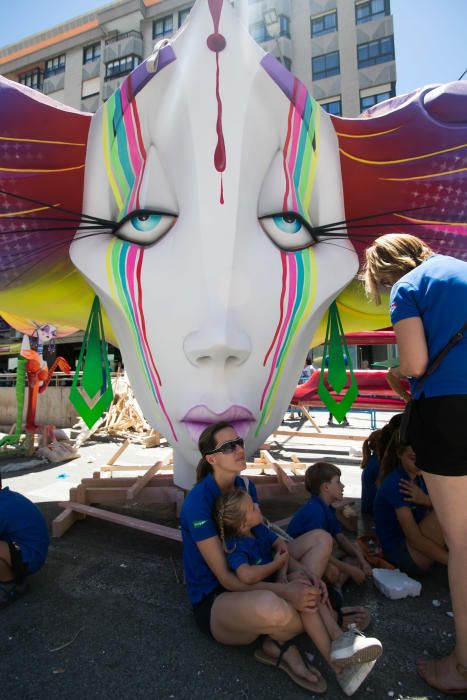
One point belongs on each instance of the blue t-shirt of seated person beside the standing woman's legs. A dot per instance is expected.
(388, 499)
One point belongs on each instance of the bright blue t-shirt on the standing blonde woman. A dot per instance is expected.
(436, 292)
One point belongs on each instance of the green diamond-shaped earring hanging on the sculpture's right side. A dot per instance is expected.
(335, 348)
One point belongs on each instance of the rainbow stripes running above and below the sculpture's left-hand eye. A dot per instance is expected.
(125, 160)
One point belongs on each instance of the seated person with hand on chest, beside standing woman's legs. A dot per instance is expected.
(405, 523)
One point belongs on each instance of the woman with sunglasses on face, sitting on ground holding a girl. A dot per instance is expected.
(224, 607)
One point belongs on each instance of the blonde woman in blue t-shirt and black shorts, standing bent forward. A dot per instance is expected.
(428, 307)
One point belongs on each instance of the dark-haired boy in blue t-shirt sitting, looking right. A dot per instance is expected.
(322, 481)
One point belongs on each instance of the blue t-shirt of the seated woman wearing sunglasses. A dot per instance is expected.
(198, 524)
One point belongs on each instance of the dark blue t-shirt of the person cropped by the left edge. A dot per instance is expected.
(22, 522)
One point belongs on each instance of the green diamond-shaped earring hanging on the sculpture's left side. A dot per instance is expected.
(93, 394)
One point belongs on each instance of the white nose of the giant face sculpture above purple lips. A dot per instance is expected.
(217, 343)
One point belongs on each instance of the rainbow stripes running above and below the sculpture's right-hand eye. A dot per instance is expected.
(299, 268)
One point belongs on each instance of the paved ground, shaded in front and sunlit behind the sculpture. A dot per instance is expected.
(108, 616)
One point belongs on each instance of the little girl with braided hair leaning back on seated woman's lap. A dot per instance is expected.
(257, 554)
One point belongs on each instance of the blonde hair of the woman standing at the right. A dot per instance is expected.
(393, 253)
